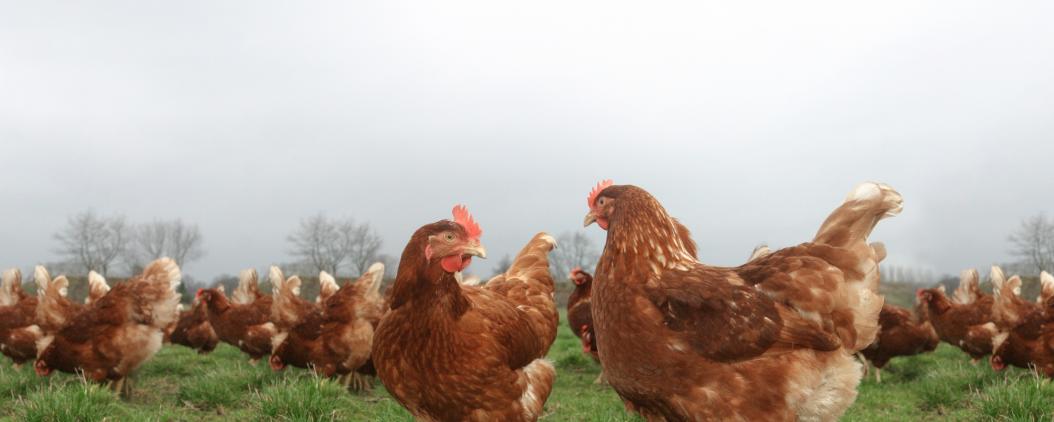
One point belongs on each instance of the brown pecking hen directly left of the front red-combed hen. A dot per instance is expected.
(343, 342)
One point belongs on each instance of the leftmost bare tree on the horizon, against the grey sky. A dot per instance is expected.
(93, 243)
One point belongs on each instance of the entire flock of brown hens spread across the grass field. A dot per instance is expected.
(774, 339)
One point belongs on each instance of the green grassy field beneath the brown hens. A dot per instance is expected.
(181, 386)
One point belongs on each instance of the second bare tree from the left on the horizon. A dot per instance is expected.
(173, 239)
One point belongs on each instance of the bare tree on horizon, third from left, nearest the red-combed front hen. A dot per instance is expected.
(329, 245)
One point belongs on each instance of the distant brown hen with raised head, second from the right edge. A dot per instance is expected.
(967, 327)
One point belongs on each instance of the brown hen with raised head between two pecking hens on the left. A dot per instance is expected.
(245, 327)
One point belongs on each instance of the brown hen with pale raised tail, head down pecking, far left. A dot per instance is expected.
(118, 333)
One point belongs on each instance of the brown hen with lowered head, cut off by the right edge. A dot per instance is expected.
(1026, 337)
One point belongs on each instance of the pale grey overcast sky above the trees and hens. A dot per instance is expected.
(749, 121)
